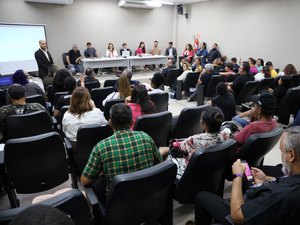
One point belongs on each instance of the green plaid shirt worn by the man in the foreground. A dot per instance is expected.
(124, 152)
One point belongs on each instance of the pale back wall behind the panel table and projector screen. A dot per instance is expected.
(99, 22)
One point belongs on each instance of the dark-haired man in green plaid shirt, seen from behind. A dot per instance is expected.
(107, 157)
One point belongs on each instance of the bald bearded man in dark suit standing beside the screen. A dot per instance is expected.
(43, 59)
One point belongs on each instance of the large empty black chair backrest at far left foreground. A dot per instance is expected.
(36, 163)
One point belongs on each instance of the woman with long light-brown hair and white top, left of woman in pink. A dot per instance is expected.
(124, 90)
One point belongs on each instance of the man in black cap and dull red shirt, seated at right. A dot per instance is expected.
(264, 109)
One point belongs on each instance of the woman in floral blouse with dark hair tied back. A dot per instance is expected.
(211, 121)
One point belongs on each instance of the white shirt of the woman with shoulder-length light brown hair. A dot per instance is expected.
(71, 122)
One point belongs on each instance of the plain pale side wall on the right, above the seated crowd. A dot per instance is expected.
(269, 29)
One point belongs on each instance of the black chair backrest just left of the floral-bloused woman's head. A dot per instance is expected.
(188, 122)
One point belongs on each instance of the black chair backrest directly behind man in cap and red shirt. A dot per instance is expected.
(258, 145)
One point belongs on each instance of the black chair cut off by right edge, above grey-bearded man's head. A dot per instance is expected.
(290, 104)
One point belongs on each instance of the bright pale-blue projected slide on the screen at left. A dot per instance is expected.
(18, 43)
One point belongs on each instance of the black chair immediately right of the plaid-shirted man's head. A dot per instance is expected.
(156, 125)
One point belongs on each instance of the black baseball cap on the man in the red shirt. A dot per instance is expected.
(266, 101)
